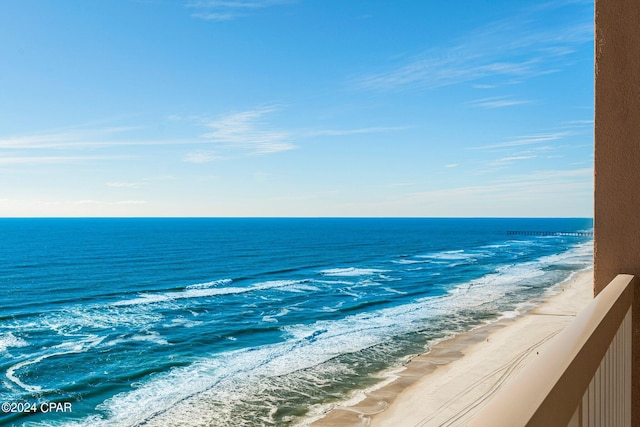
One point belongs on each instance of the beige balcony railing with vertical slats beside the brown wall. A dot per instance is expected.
(581, 378)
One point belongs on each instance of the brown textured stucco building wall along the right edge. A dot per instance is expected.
(617, 155)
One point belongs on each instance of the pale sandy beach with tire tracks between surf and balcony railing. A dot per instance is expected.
(450, 383)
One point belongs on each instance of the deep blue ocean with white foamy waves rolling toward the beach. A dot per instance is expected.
(247, 321)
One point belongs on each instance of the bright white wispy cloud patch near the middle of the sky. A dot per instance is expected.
(248, 131)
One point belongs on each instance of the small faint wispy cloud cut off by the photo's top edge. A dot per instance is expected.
(226, 10)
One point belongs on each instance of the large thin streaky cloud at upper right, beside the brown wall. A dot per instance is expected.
(515, 48)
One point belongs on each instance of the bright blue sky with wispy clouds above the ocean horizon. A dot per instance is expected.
(296, 108)
